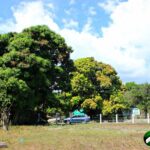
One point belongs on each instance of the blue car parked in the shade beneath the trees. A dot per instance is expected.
(77, 119)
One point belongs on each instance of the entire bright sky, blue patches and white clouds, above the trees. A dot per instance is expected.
(108, 30)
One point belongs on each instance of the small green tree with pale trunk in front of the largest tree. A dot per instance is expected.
(11, 90)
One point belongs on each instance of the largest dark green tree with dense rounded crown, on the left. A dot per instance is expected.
(38, 59)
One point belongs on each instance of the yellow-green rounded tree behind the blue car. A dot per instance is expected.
(92, 83)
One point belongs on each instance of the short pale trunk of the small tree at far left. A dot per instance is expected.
(5, 120)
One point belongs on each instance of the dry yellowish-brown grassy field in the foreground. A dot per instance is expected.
(92, 136)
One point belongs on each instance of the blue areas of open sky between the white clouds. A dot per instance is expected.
(78, 10)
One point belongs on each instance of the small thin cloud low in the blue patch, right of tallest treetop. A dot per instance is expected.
(70, 23)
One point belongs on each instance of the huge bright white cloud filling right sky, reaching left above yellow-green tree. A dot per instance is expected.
(125, 42)
